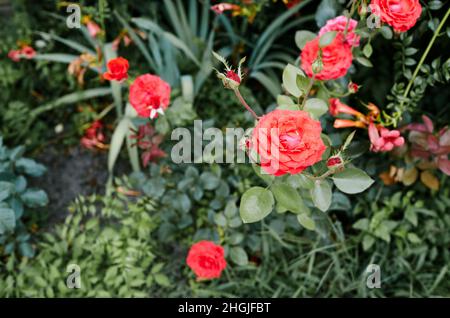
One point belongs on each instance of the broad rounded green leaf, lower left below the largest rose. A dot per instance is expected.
(256, 204)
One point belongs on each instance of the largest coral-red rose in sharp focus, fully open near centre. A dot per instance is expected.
(288, 141)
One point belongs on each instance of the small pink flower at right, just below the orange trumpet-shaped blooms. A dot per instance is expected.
(383, 139)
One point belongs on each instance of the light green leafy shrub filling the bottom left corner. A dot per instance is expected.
(109, 238)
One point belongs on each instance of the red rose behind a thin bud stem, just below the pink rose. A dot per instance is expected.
(336, 58)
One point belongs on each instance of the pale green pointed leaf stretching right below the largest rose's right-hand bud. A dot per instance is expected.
(352, 180)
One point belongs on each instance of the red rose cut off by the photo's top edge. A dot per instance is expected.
(402, 15)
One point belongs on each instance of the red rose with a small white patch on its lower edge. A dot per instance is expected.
(149, 95)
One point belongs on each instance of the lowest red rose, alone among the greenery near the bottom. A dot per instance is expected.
(206, 259)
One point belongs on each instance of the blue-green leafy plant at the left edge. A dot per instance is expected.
(19, 204)
